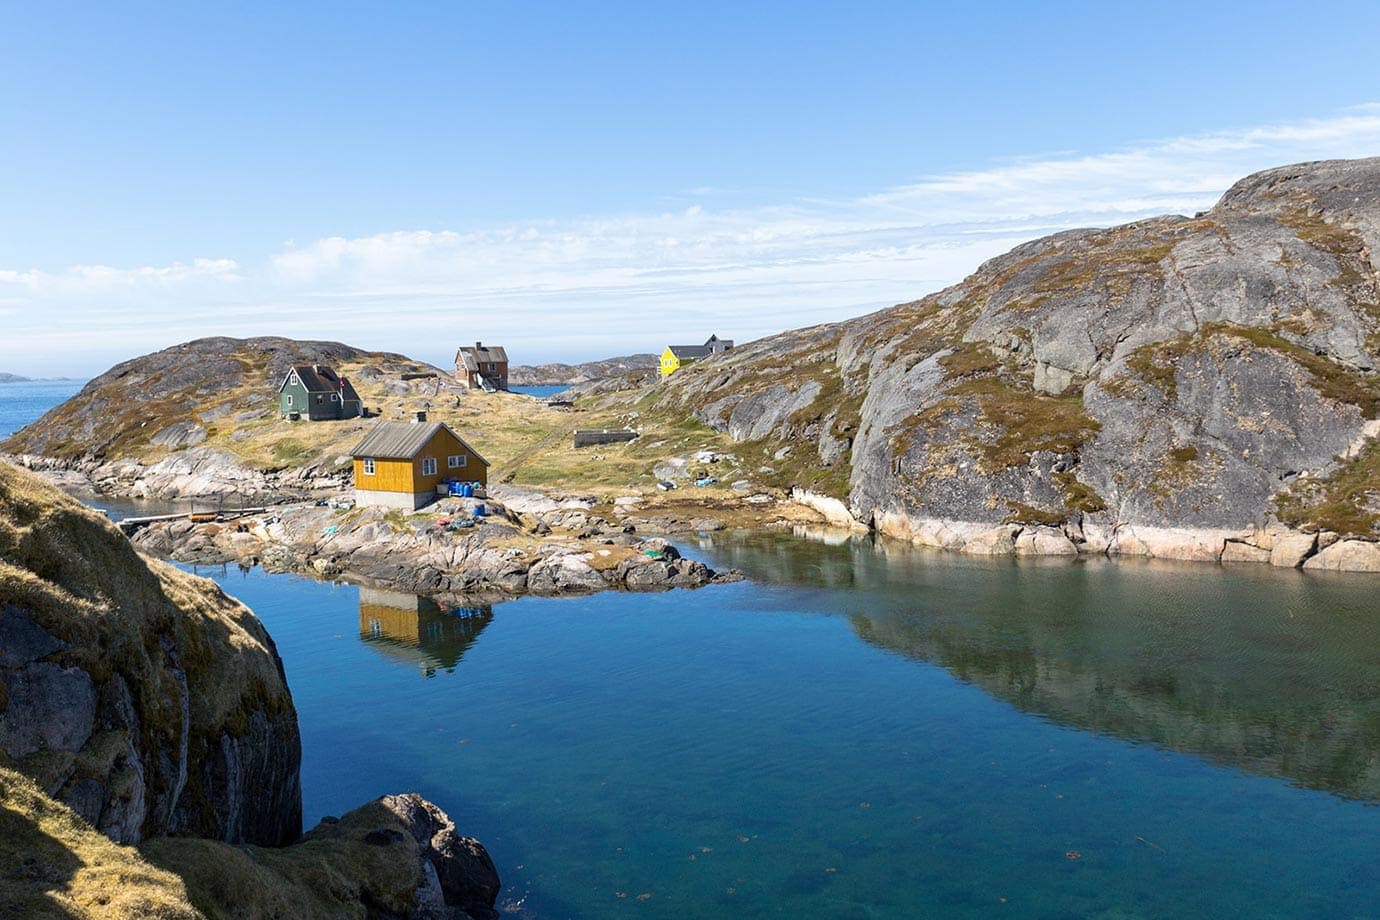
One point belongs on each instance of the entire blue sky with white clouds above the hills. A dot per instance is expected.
(586, 180)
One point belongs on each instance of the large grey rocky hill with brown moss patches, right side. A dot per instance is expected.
(1178, 387)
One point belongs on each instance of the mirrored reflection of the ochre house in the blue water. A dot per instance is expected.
(417, 631)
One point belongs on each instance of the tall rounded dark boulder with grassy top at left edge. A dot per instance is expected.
(144, 699)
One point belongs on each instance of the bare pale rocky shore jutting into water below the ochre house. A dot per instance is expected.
(457, 547)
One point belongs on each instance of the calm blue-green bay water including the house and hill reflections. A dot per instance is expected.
(856, 733)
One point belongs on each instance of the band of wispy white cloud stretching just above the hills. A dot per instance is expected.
(630, 282)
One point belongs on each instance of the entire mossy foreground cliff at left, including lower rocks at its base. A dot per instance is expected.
(141, 706)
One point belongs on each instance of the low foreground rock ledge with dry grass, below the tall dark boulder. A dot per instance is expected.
(397, 857)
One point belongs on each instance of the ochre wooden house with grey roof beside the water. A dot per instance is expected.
(401, 464)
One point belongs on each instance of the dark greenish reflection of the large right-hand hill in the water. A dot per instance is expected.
(1276, 672)
